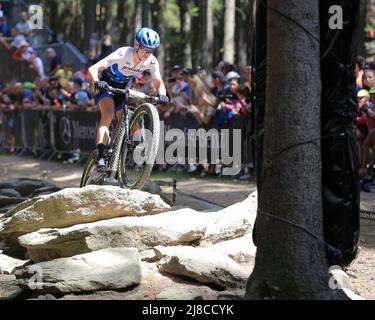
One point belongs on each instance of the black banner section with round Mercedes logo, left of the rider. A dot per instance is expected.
(75, 130)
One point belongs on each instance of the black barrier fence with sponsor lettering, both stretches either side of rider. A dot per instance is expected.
(49, 132)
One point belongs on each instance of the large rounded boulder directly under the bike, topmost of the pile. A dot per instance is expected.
(76, 206)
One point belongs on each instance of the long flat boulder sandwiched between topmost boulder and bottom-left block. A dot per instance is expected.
(169, 229)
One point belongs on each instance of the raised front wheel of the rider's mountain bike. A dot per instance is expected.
(139, 152)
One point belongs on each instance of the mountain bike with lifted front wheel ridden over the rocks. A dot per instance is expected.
(132, 147)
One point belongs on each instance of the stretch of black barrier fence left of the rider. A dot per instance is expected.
(51, 131)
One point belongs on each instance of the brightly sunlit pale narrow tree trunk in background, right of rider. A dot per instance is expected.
(229, 30)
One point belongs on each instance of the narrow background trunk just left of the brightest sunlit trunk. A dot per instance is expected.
(207, 33)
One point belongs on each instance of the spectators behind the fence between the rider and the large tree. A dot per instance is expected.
(219, 100)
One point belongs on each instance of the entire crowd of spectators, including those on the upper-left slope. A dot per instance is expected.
(198, 99)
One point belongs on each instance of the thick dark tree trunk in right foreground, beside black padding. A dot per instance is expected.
(291, 264)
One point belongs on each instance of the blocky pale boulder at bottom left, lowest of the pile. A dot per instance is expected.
(109, 269)
